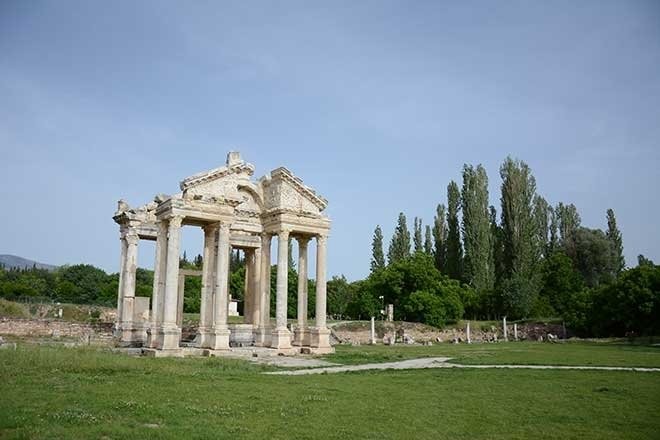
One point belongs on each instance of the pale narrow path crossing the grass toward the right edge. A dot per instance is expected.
(442, 362)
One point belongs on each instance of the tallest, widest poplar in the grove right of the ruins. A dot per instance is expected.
(519, 233)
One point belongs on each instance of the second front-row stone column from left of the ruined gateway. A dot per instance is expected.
(221, 305)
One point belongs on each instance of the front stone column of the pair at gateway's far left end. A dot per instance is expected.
(129, 334)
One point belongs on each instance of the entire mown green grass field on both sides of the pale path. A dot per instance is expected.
(54, 393)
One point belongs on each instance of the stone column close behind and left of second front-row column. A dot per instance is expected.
(206, 304)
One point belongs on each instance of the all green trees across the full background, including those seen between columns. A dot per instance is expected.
(530, 260)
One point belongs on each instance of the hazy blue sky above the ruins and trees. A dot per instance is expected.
(375, 104)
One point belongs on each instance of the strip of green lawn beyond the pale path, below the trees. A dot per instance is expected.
(529, 353)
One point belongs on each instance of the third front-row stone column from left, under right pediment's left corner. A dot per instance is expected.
(281, 336)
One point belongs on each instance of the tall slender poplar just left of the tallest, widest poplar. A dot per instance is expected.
(478, 263)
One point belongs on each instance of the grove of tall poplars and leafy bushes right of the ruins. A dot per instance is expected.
(535, 260)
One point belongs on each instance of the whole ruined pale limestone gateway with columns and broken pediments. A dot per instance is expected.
(234, 212)
